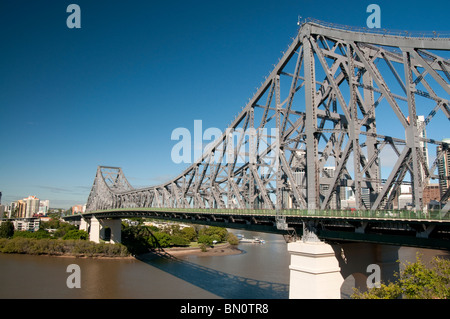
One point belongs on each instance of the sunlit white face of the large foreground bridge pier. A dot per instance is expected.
(314, 271)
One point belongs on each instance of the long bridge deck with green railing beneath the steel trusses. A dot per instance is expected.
(408, 228)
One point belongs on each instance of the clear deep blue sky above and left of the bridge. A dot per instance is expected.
(112, 92)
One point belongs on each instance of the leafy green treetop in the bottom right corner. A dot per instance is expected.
(415, 281)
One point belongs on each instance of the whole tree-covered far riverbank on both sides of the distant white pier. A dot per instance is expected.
(68, 240)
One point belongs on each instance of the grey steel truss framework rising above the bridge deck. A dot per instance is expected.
(319, 106)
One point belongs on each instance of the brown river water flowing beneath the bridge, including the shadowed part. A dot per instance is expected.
(260, 272)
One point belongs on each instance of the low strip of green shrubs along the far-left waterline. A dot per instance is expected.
(59, 247)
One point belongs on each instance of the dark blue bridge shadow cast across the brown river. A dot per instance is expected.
(224, 285)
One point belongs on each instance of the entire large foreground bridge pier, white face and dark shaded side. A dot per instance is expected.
(319, 269)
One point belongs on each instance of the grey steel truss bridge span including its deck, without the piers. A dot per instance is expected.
(314, 130)
